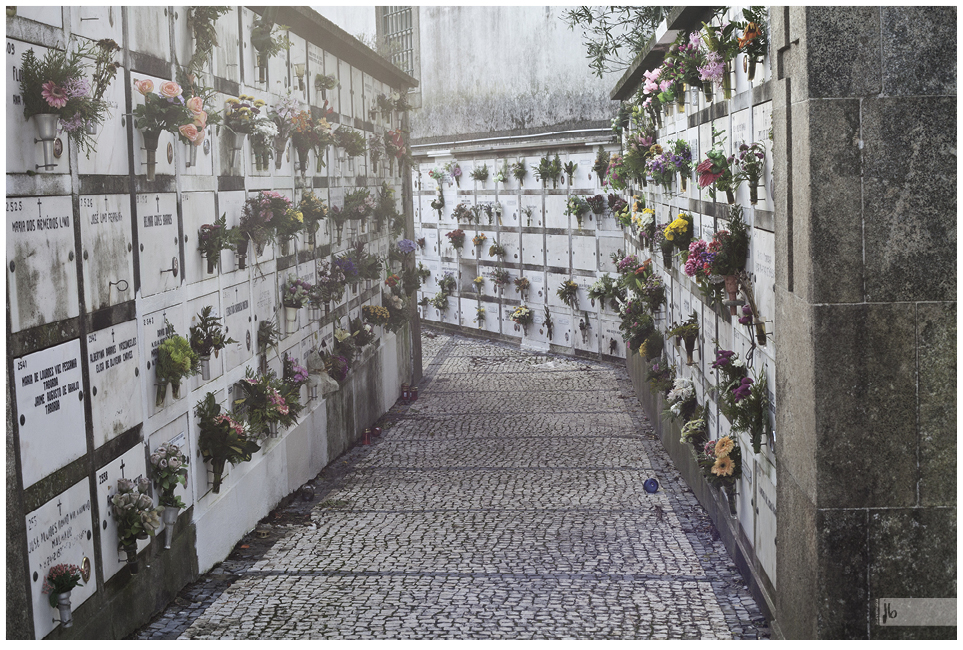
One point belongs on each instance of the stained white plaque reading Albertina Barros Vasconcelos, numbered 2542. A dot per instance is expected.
(113, 365)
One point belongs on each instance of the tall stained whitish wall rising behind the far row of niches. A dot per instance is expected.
(503, 69)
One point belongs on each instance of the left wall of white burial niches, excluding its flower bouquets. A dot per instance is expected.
(91, 249)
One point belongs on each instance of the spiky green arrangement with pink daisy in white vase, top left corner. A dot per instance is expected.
(57, 86)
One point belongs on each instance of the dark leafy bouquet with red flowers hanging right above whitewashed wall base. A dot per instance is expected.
(222, 439)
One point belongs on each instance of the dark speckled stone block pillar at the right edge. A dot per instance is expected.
(864, 119)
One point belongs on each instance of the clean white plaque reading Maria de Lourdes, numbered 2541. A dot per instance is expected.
(50, 410)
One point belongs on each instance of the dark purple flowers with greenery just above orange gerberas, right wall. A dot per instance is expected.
(742, 399)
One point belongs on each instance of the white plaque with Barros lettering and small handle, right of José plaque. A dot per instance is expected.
(158, 235)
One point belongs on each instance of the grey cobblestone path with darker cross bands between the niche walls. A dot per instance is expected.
(506, 503)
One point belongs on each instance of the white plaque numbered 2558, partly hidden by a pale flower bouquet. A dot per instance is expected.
(132, 465)
